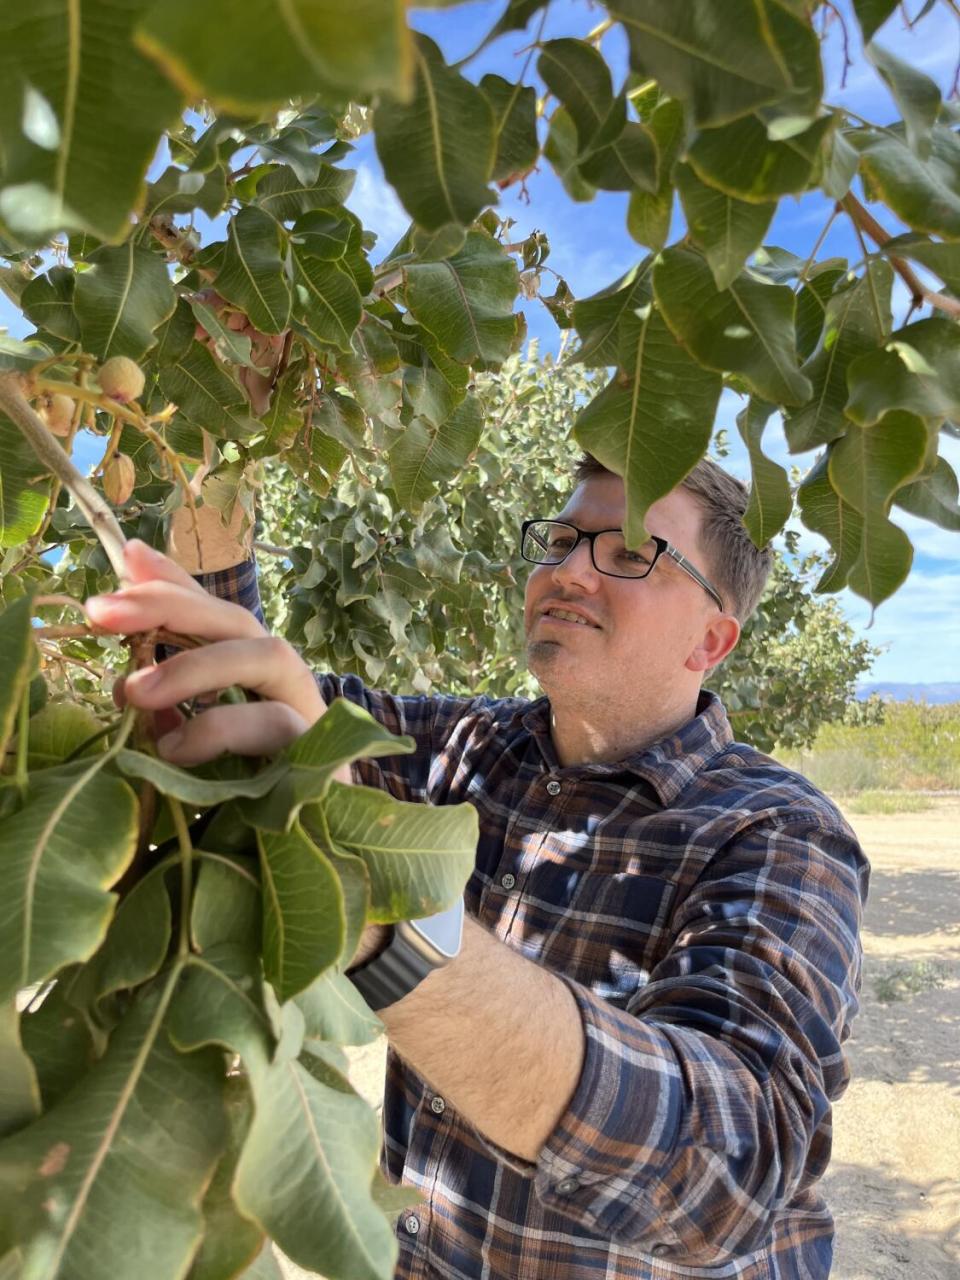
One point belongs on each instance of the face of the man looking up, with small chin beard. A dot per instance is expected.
(637, 634)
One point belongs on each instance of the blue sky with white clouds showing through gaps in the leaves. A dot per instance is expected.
(920, 628)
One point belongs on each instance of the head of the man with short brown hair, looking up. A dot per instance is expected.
(644, 644)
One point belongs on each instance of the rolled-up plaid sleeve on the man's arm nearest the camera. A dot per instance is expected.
(705, 1105)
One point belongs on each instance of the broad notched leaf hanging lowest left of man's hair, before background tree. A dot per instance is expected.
(427, 456)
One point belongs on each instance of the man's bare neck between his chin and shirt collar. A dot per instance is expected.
(597, 737)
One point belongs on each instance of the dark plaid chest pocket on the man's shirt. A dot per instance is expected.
(619, 924)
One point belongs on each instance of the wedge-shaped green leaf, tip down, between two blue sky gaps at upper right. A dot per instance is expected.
(728, 231)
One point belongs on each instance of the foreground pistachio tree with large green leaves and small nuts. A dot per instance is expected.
(172, 943)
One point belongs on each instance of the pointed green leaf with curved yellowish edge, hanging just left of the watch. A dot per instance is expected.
(304, 916)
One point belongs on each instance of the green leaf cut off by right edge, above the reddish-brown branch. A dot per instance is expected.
(925, 194)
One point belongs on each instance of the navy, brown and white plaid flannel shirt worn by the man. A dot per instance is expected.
(703, 904)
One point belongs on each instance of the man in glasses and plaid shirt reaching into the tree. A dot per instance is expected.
(628, 1071)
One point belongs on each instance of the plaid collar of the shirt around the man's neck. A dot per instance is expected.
(669, 766)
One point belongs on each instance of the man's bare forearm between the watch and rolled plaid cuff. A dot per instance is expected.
(499, 1036)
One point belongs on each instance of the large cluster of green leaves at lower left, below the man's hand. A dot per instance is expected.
(172, 995)
